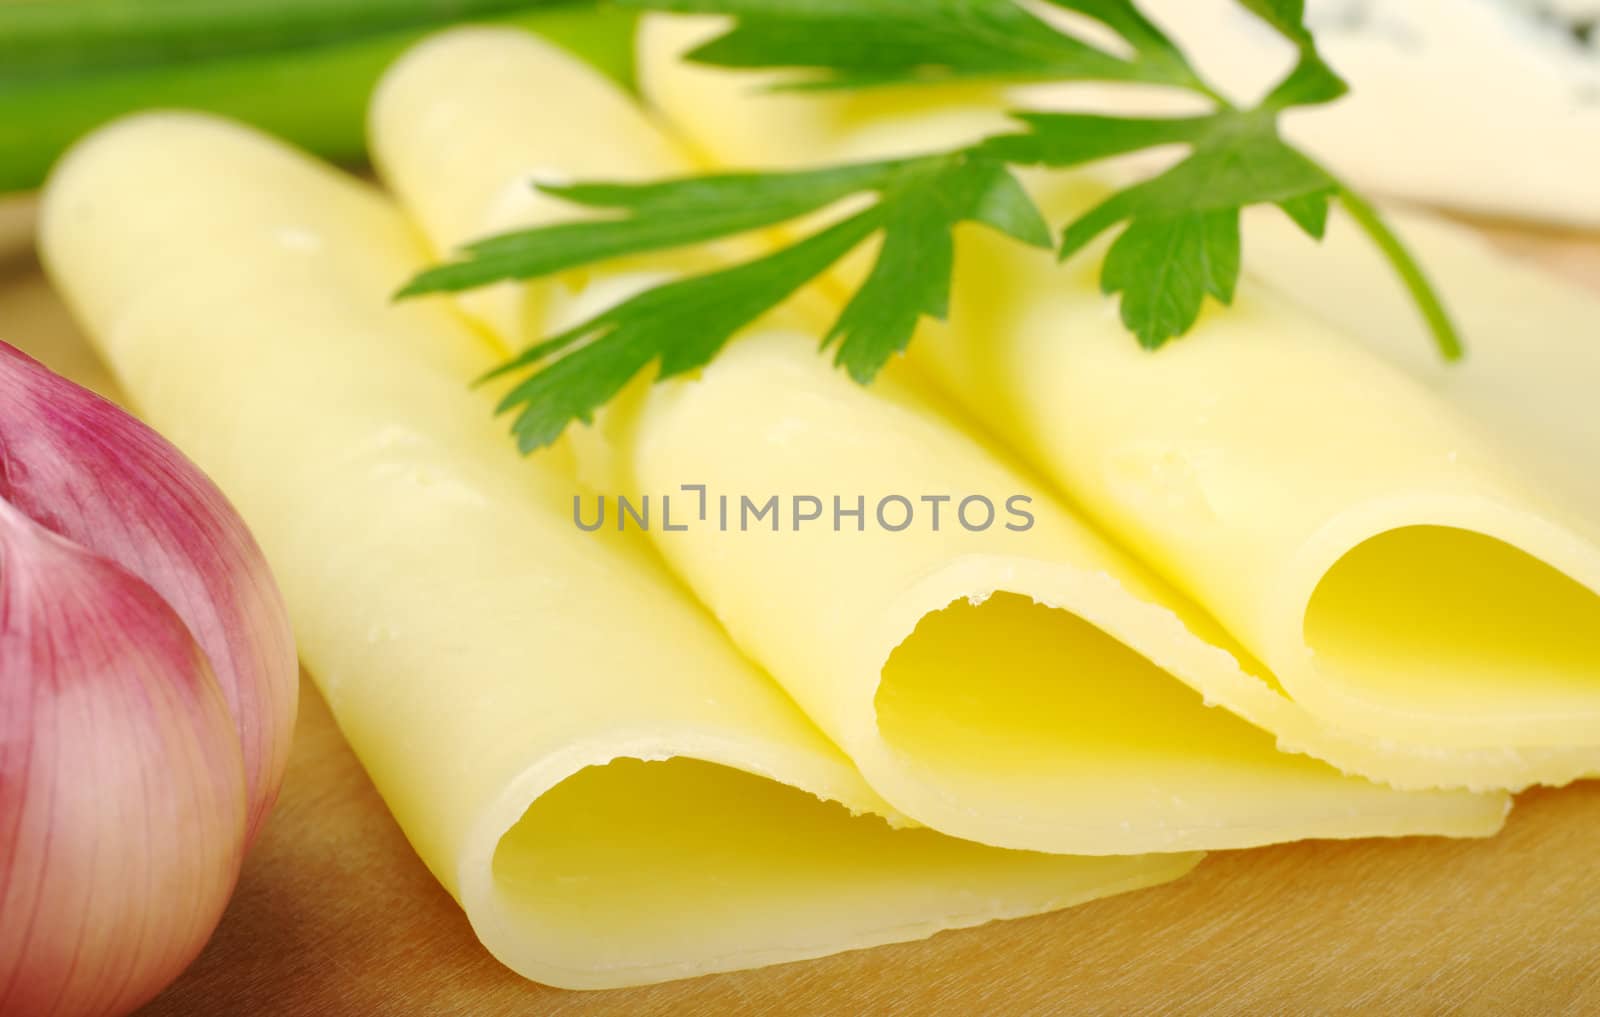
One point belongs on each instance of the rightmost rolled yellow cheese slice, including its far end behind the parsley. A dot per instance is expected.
(1422, 589)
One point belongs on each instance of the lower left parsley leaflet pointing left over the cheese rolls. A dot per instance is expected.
(686, 324)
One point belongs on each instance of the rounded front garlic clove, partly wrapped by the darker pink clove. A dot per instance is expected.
(122, 783)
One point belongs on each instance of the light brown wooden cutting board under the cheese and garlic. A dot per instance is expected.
(337, 917)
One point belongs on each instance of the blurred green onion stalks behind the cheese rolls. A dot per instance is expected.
(302, 70)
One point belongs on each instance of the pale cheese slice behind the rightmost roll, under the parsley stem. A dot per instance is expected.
(1534, 364)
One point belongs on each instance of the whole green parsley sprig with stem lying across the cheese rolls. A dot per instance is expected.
(1180, 237)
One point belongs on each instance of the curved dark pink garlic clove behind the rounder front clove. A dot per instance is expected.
(86, 469)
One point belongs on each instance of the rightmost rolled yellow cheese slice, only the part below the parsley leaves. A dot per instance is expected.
(1402, 573)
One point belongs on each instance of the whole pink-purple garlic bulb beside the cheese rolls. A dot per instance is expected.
(148, 687)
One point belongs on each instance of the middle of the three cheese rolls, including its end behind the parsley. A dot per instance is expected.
(994, 677)
